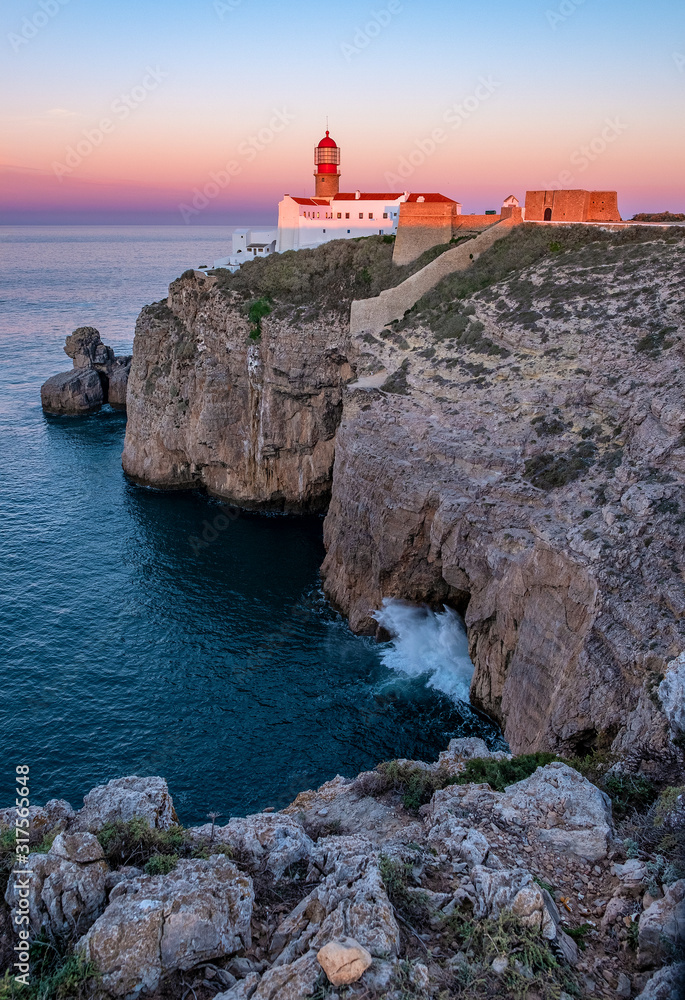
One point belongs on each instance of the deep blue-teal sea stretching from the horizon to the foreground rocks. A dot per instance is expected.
(128, 649)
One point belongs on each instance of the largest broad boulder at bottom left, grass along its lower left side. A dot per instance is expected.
(158, 924)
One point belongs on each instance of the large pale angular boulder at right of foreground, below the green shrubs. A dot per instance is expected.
(560, 808)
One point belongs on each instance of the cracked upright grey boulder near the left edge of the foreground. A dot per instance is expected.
(67, 888)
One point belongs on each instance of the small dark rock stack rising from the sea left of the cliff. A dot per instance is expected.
(98, 377)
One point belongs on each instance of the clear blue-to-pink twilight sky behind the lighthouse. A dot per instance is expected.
(207, 112)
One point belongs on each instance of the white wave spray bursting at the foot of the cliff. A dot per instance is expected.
(427, 644)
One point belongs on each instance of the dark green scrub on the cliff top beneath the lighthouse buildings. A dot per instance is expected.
(326, 279)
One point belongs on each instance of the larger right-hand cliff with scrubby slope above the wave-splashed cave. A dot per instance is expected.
(525, 461)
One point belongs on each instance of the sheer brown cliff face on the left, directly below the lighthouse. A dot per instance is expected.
(250, 420)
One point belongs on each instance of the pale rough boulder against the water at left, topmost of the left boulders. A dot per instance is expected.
(124, 799)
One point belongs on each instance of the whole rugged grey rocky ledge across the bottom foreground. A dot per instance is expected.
(460, 893)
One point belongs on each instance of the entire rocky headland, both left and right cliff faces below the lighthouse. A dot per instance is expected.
(517, 451)
